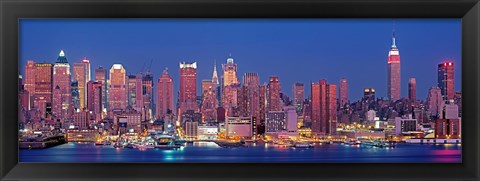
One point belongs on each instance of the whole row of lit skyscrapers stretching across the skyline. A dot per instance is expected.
(52, 91)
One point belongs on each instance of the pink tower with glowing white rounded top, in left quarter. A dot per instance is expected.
(118, 97)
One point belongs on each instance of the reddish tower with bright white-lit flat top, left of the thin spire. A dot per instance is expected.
(188, 87)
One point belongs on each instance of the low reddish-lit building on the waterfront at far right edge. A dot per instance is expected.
(448, 128)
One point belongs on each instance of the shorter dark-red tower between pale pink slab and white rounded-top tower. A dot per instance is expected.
(94, 99)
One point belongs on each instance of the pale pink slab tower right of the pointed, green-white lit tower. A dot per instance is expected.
(81, 72)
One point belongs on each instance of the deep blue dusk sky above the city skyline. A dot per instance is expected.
(296, 50)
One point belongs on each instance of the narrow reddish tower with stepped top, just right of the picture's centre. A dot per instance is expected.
(274, 101)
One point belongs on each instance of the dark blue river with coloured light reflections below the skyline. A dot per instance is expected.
(210, 152)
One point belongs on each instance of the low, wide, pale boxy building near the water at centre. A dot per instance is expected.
(239, 127)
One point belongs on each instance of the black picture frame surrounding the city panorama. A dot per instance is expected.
(12, 10)
